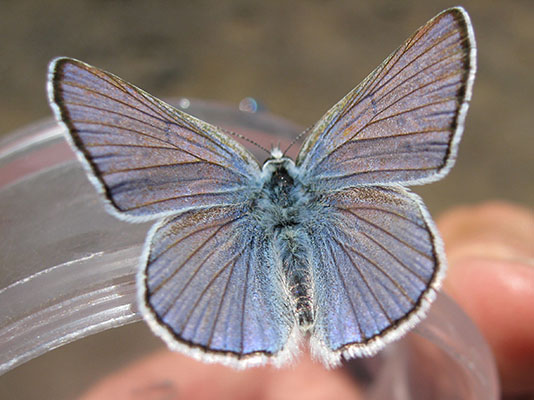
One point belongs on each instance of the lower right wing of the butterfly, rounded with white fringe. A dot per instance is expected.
(376, 264)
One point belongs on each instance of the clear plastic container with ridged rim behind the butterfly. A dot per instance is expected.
(67, 269)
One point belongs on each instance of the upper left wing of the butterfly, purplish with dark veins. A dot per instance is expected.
(147, 158)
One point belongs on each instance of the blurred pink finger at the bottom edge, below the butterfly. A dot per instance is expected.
(167, 375)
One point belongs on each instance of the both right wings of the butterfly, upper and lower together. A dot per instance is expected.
(378, 262)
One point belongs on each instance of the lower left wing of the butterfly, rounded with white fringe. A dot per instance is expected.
(212, 288)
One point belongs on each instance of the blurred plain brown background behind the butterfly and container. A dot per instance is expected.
(298, 58)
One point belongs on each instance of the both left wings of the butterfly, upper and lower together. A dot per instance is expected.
(209, 282)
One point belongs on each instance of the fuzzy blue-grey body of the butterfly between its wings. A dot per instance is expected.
(282, 205)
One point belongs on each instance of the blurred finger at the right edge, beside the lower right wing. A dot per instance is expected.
(491, 251)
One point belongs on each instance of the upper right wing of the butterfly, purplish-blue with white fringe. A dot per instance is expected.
(402, 124)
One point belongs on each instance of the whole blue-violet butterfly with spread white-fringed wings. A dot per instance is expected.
(244, 261)
